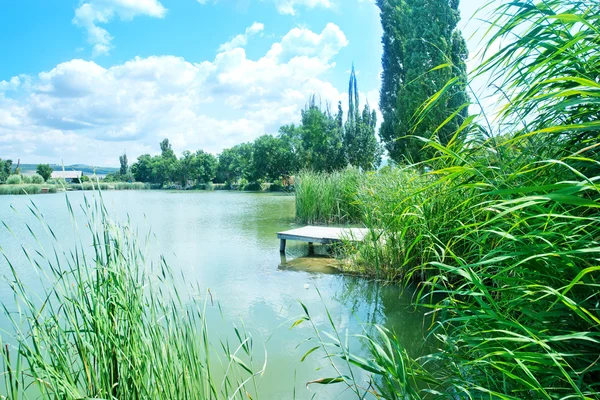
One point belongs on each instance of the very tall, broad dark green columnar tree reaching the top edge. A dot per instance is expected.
(420, 35)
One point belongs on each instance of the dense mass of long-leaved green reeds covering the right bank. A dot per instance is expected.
(499, 220)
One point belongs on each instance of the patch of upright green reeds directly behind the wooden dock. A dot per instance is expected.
(323, 198)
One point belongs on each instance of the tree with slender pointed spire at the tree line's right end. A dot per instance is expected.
(360, 142)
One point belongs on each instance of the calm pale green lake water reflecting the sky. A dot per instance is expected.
(226, 242)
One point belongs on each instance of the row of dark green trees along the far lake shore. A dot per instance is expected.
(322, 142)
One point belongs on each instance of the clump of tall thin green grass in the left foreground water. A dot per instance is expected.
(109, 324)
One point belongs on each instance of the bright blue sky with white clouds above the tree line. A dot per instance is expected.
(83, 81)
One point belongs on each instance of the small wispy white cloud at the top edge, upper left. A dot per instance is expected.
(91, 13)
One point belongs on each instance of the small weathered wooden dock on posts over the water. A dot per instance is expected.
(323, 235)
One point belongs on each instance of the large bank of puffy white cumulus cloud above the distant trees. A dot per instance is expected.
(83, 112)
